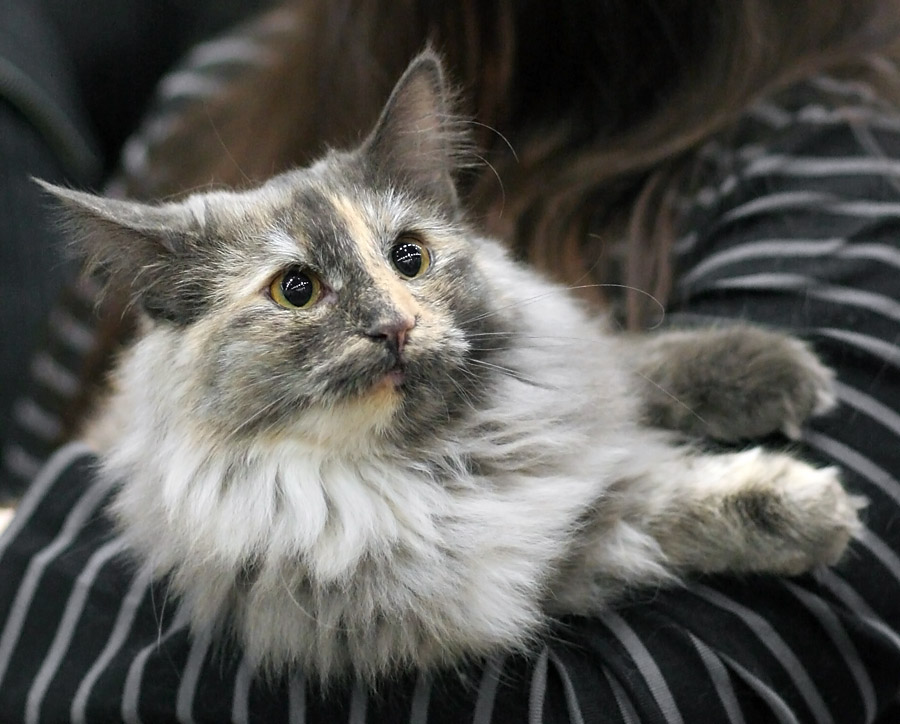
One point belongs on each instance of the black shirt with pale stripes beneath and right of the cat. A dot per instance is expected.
(795, 224)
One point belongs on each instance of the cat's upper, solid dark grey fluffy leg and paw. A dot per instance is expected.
(731, 383)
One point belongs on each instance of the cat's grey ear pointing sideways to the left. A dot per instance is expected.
(136, 249)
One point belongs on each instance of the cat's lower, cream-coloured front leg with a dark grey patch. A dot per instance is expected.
(753, 511)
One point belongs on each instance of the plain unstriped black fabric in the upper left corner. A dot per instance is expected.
(75, 79)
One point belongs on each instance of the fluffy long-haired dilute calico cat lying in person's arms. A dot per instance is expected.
(356, 436)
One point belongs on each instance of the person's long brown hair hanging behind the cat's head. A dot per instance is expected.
(603, 103)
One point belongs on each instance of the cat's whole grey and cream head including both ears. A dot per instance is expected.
(343, 298)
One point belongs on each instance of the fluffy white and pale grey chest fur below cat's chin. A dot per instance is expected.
(331, 562)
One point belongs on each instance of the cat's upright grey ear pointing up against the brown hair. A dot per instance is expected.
(418, 142)
